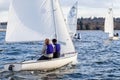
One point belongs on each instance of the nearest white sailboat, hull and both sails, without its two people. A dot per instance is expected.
(35, 20)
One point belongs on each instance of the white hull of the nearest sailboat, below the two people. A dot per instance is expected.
(43, 65)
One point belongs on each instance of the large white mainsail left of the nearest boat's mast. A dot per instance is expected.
(29, 20)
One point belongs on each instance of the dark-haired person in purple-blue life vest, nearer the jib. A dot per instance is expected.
(57, 49)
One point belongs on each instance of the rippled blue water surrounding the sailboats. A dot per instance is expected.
(98, 59)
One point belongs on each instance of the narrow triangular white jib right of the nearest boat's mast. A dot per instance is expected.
(61, 29)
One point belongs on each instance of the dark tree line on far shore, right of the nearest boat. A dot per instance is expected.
(96, 23)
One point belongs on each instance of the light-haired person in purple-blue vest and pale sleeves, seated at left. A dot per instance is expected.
(47, 51)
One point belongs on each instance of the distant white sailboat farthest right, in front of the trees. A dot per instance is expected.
(109, 25)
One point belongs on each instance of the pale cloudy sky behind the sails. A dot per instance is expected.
(86, 8)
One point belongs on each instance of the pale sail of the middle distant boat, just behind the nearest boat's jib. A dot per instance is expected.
(72, 20)
